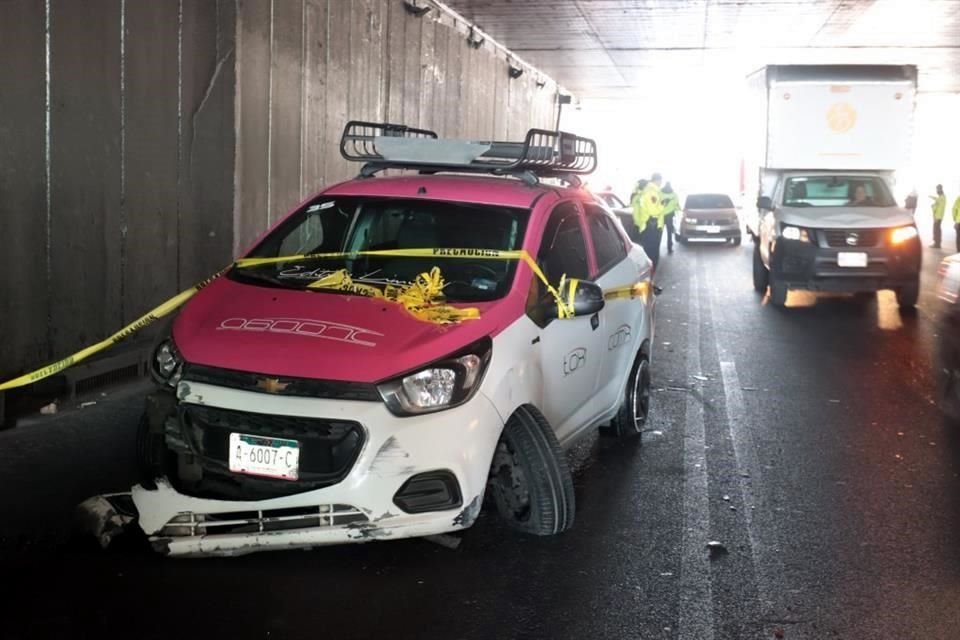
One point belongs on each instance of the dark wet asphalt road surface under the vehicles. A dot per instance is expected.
(804, 440)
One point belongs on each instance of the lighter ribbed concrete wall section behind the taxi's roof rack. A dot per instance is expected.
(306, 67)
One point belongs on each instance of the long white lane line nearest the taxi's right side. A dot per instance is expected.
(696, 592)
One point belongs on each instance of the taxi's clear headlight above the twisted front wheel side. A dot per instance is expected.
(444, 384)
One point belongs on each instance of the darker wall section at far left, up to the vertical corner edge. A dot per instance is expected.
(116, 164)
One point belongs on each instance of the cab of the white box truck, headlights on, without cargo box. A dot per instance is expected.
(837, 232)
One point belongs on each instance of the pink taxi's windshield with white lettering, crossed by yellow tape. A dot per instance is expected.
(350, 225)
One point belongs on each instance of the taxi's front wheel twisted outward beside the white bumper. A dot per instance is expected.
(529, 479)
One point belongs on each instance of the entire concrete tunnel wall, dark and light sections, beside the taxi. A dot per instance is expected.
(145, 143)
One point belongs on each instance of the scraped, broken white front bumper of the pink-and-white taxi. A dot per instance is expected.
(384, 494)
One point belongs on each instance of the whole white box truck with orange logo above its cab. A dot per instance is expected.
(824, 144)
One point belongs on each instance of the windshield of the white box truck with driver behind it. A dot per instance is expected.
(837, 191)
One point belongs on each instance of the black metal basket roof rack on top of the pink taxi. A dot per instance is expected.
(542, 154)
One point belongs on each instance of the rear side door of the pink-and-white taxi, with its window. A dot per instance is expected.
(621, 317)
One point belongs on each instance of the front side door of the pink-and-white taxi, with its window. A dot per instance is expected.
(569, 349)
